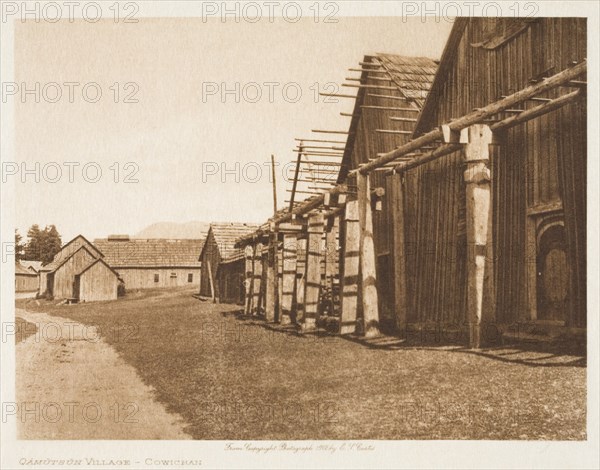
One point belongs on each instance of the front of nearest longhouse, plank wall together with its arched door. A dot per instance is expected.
(536, 241)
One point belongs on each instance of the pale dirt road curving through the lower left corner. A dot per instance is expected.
(71, 385)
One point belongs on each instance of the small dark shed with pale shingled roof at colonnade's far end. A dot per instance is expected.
(223, 265)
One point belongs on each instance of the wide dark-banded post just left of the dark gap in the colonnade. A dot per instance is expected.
(312, 288)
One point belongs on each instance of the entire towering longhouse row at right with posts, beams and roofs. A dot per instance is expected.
(460, 197)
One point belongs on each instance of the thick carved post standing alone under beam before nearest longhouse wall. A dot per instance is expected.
(478, 217)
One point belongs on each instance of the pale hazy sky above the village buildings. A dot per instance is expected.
(173, 132)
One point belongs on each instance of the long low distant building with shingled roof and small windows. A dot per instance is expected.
(149, 263)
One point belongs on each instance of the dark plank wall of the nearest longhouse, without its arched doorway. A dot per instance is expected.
(537, 163)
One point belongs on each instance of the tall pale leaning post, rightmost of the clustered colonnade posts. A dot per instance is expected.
(368, 270)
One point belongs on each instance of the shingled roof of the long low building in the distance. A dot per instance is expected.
(150, 252)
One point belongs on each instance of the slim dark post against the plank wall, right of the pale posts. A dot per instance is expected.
(399, 260)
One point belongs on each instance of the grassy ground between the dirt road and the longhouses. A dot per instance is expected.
(231, 378)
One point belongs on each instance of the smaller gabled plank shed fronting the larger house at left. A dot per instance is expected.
(96, 281)
